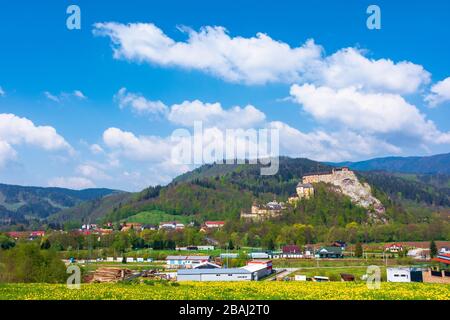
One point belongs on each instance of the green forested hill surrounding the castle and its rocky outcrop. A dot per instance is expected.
(223, 191)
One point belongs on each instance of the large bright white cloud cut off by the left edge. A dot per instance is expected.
(21, 131)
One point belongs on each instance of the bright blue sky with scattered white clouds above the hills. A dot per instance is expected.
(352, 94)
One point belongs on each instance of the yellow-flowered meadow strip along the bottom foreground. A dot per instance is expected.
(271, 290)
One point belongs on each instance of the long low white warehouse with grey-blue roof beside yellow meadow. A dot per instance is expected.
(255, 270)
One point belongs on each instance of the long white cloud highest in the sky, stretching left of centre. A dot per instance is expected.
(255, 60)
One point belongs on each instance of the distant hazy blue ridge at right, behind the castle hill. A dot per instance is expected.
(437, 164)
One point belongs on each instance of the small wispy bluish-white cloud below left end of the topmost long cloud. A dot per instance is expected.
(138, 103)
